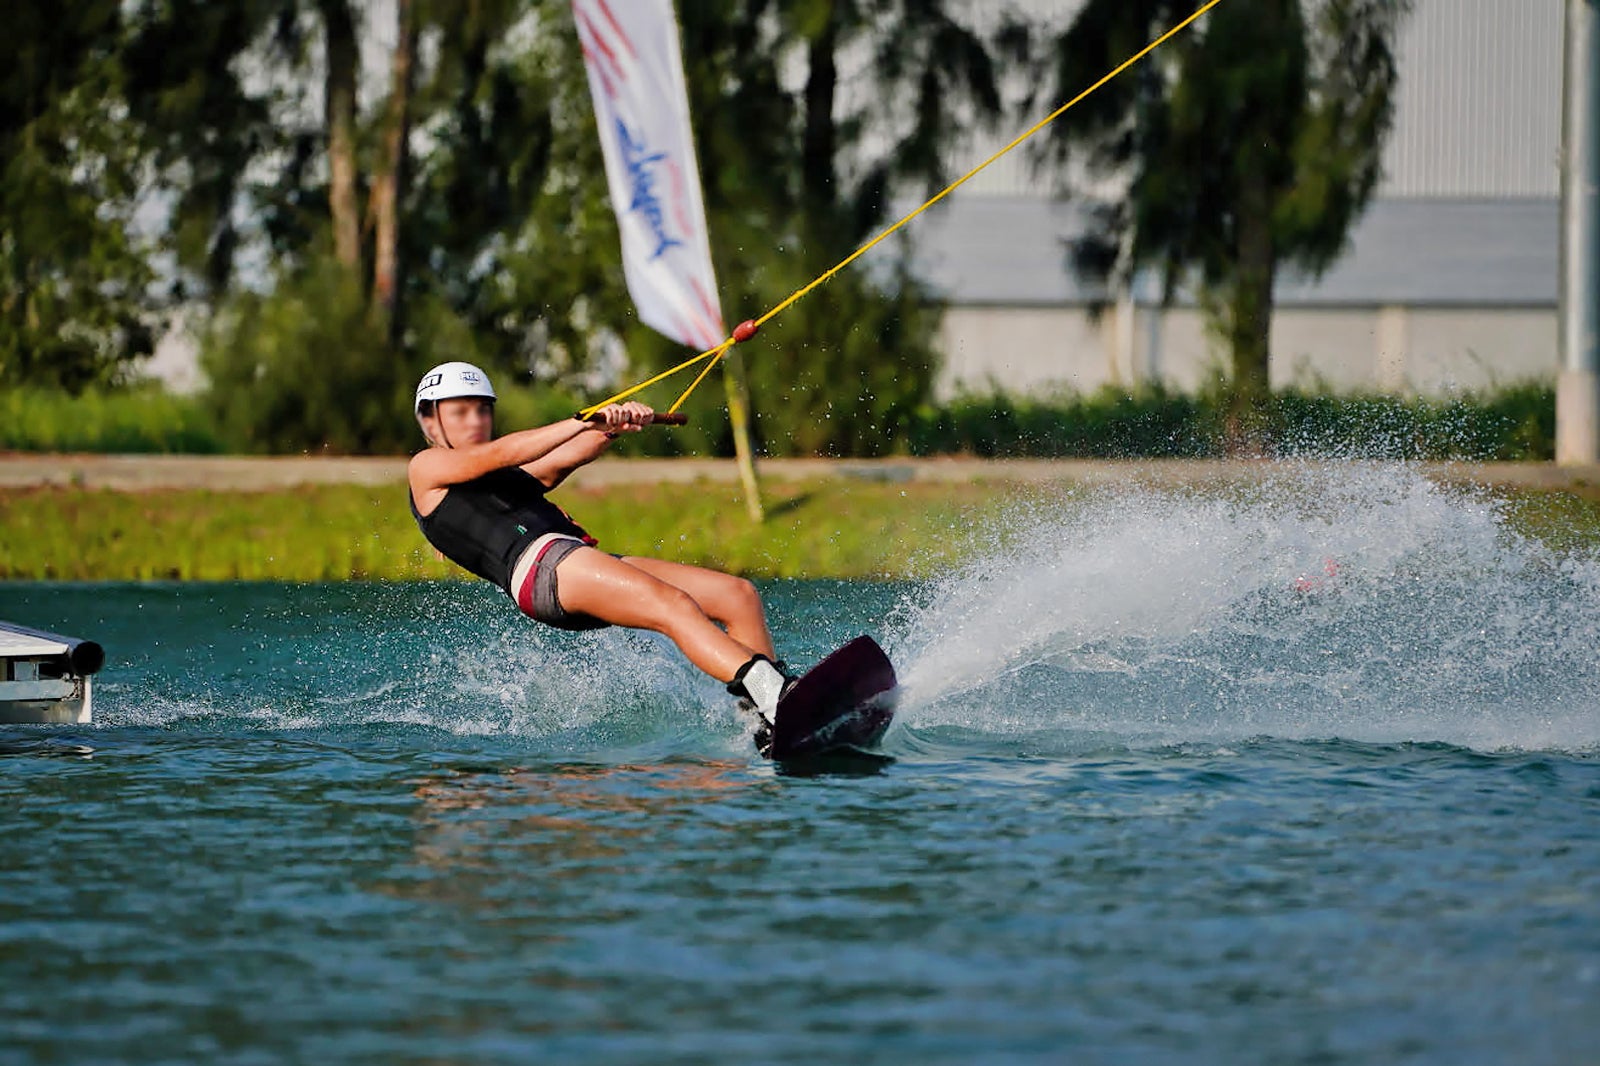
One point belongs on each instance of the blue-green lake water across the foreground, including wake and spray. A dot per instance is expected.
(1303, 775)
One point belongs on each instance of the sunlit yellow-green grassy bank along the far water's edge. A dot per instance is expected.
(823, 529)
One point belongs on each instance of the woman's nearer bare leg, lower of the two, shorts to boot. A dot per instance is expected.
(625, 595)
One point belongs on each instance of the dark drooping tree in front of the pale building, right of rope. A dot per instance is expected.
(1252, 142)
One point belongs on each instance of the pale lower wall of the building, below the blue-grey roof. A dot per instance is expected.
(1038, 351)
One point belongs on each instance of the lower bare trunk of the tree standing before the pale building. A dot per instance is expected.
(1249, 323)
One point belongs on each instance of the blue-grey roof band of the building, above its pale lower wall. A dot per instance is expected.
(1495, 254)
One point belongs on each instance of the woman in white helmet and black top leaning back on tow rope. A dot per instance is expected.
(481, 500)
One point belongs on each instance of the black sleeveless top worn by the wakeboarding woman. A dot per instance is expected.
(487, 524)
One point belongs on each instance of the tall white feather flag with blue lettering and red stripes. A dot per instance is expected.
(636, 78)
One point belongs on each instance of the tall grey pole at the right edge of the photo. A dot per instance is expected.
(1578, 391)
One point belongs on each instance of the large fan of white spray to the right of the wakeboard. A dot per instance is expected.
(1348, 601)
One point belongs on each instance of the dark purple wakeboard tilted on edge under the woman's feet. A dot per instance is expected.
(844, 703)
